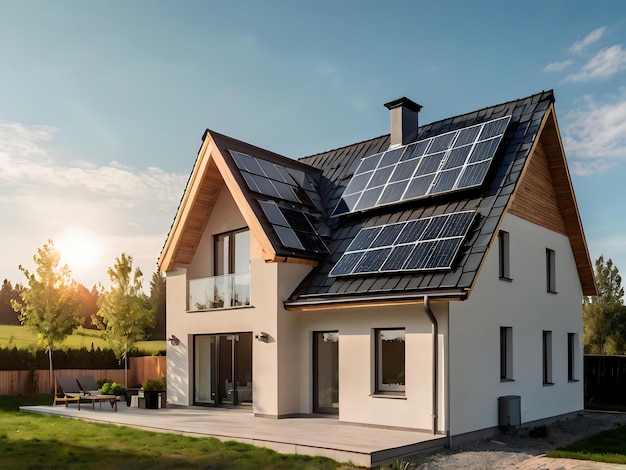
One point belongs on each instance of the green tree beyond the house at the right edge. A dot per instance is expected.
(604, 316)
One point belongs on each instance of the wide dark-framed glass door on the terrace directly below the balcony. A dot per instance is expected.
(223, 369)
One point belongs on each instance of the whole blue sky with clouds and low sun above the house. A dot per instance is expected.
(103, 104)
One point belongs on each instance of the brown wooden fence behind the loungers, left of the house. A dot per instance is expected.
(32, 382)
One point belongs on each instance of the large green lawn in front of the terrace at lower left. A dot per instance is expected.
(32, 441)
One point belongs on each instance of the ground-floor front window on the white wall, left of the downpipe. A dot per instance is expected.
(390, 360)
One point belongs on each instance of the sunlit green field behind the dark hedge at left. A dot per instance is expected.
(22, 338)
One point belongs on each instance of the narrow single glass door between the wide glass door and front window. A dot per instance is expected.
(326, 372)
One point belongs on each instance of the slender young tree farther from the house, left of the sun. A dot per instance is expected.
(48, 306)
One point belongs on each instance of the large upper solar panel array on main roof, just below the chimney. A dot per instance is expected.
(445, 163)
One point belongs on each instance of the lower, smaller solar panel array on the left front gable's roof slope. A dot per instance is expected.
(294, 228)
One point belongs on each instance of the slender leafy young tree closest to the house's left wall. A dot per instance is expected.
(124, 309)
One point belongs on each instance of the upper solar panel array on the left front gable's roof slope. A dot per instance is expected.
(274, 180)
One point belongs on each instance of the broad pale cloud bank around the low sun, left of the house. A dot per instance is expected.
(128, 210)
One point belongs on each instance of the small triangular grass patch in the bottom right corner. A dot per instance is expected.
(607, 446)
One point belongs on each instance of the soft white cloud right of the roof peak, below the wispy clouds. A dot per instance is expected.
(595, 135)
